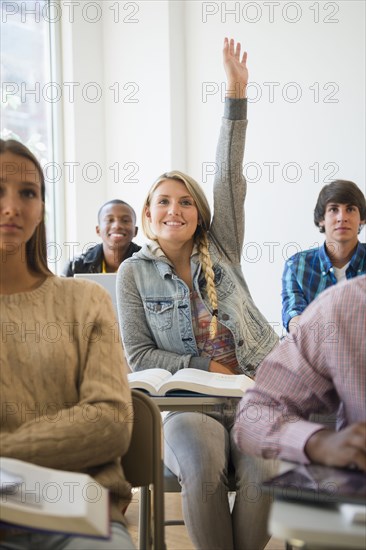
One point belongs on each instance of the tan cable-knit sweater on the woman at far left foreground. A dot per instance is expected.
(65, 401)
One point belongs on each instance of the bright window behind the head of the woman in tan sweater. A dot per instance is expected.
(28, 107)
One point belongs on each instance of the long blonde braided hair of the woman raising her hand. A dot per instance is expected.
(200, 236)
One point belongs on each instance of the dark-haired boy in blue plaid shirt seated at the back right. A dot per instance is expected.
(340, 213)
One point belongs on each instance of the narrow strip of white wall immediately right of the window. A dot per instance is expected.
(84, 143)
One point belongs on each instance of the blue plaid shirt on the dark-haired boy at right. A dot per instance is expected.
(308, 273)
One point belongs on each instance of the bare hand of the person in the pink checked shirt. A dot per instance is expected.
(346, 448)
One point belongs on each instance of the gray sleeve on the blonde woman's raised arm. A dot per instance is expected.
(230, 186)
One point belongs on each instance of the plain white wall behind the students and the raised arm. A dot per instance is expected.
(167, 55)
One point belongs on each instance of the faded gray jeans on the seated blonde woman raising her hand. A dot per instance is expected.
(198, 449)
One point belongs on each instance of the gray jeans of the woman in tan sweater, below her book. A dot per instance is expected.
(120, 540)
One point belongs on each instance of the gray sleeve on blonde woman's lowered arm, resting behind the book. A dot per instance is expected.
(140, 347)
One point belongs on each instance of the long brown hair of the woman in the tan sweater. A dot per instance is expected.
(36, 247)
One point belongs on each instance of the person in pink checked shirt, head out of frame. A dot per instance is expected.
(318, 371)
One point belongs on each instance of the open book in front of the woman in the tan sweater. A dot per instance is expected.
(44, 499)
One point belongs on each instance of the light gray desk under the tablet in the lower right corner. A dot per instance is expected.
(317, 527)
